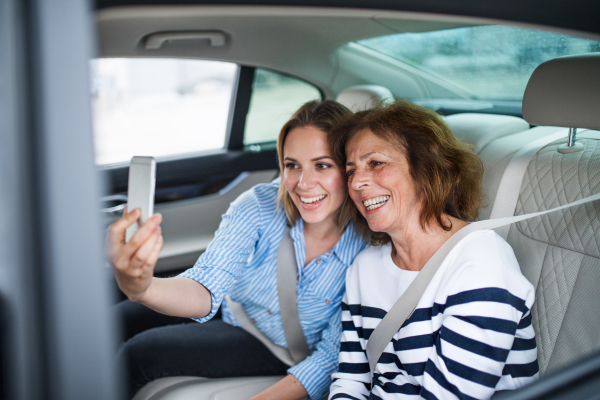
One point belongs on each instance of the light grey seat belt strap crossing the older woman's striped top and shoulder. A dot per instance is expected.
(401, 310)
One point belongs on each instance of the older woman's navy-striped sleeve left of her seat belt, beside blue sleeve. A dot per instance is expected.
(352, 380)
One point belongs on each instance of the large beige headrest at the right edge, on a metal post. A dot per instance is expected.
(565, 92)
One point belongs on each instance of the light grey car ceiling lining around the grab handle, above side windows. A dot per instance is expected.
(300, 41)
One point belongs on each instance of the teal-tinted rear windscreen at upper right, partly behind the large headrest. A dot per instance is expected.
(491, 62)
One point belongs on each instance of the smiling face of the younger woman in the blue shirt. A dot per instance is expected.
(315, 183)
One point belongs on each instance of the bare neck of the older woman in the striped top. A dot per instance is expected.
(414, 246)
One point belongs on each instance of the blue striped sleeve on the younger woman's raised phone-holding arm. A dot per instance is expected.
(219, 266)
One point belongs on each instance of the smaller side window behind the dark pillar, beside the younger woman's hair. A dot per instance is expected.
(274, 99)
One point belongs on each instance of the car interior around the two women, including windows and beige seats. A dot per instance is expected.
(204, 86)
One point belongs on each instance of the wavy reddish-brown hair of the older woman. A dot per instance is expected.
(447, 172)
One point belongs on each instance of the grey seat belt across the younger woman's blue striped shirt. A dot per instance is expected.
(287, 271)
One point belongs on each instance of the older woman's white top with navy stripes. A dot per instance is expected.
(469, 336)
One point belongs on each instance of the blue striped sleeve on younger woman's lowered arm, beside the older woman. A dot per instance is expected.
(315, 372)
